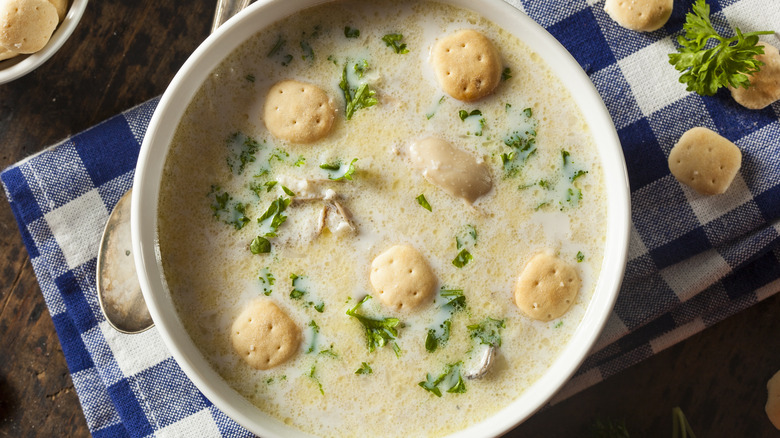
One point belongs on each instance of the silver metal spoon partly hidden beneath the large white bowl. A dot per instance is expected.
(119, 292)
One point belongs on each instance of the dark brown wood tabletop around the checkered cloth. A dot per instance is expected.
(124, 53)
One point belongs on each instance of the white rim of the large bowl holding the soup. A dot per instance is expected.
(230, 36)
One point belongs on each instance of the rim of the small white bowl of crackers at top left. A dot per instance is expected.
(20, 65)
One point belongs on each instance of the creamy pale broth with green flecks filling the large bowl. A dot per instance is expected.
(212, 274)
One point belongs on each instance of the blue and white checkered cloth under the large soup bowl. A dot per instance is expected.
(693, 260)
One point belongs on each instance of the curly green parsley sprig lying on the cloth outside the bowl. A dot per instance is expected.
(706, 68)
